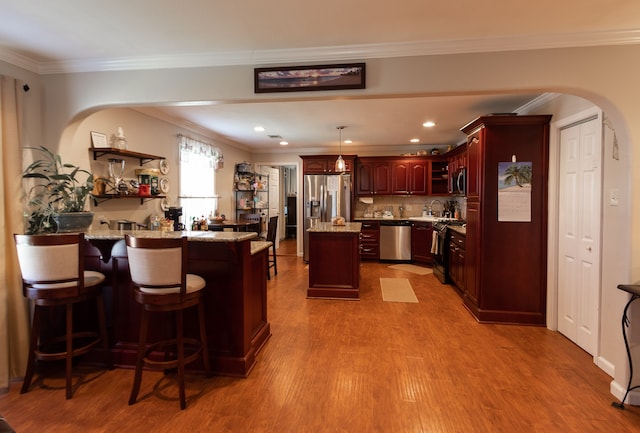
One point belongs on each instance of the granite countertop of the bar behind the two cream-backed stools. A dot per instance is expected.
(199, 236)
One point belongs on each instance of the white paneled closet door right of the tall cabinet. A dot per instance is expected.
(579, 231)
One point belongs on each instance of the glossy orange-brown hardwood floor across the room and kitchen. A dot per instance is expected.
(354, 366)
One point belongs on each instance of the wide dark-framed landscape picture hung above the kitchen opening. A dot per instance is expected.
(306, 78)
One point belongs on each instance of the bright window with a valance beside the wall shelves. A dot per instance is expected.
(198, 164)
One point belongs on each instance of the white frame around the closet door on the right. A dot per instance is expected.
(553, 235)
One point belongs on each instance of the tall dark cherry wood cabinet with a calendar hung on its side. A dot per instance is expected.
(505, 260)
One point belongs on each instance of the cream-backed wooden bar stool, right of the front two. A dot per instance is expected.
(160, 284)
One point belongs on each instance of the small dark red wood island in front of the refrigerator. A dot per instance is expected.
(334, 260)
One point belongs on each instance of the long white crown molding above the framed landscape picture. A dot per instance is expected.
(326, 54)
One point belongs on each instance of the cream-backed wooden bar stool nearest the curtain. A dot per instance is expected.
(53, 275)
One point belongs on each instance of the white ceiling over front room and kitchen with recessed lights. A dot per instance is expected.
(78, 35)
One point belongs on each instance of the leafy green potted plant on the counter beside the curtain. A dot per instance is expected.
(58, 195)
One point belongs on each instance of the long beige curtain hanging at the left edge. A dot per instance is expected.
(14, 312)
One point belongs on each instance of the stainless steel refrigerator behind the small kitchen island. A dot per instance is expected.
(325, 196)
